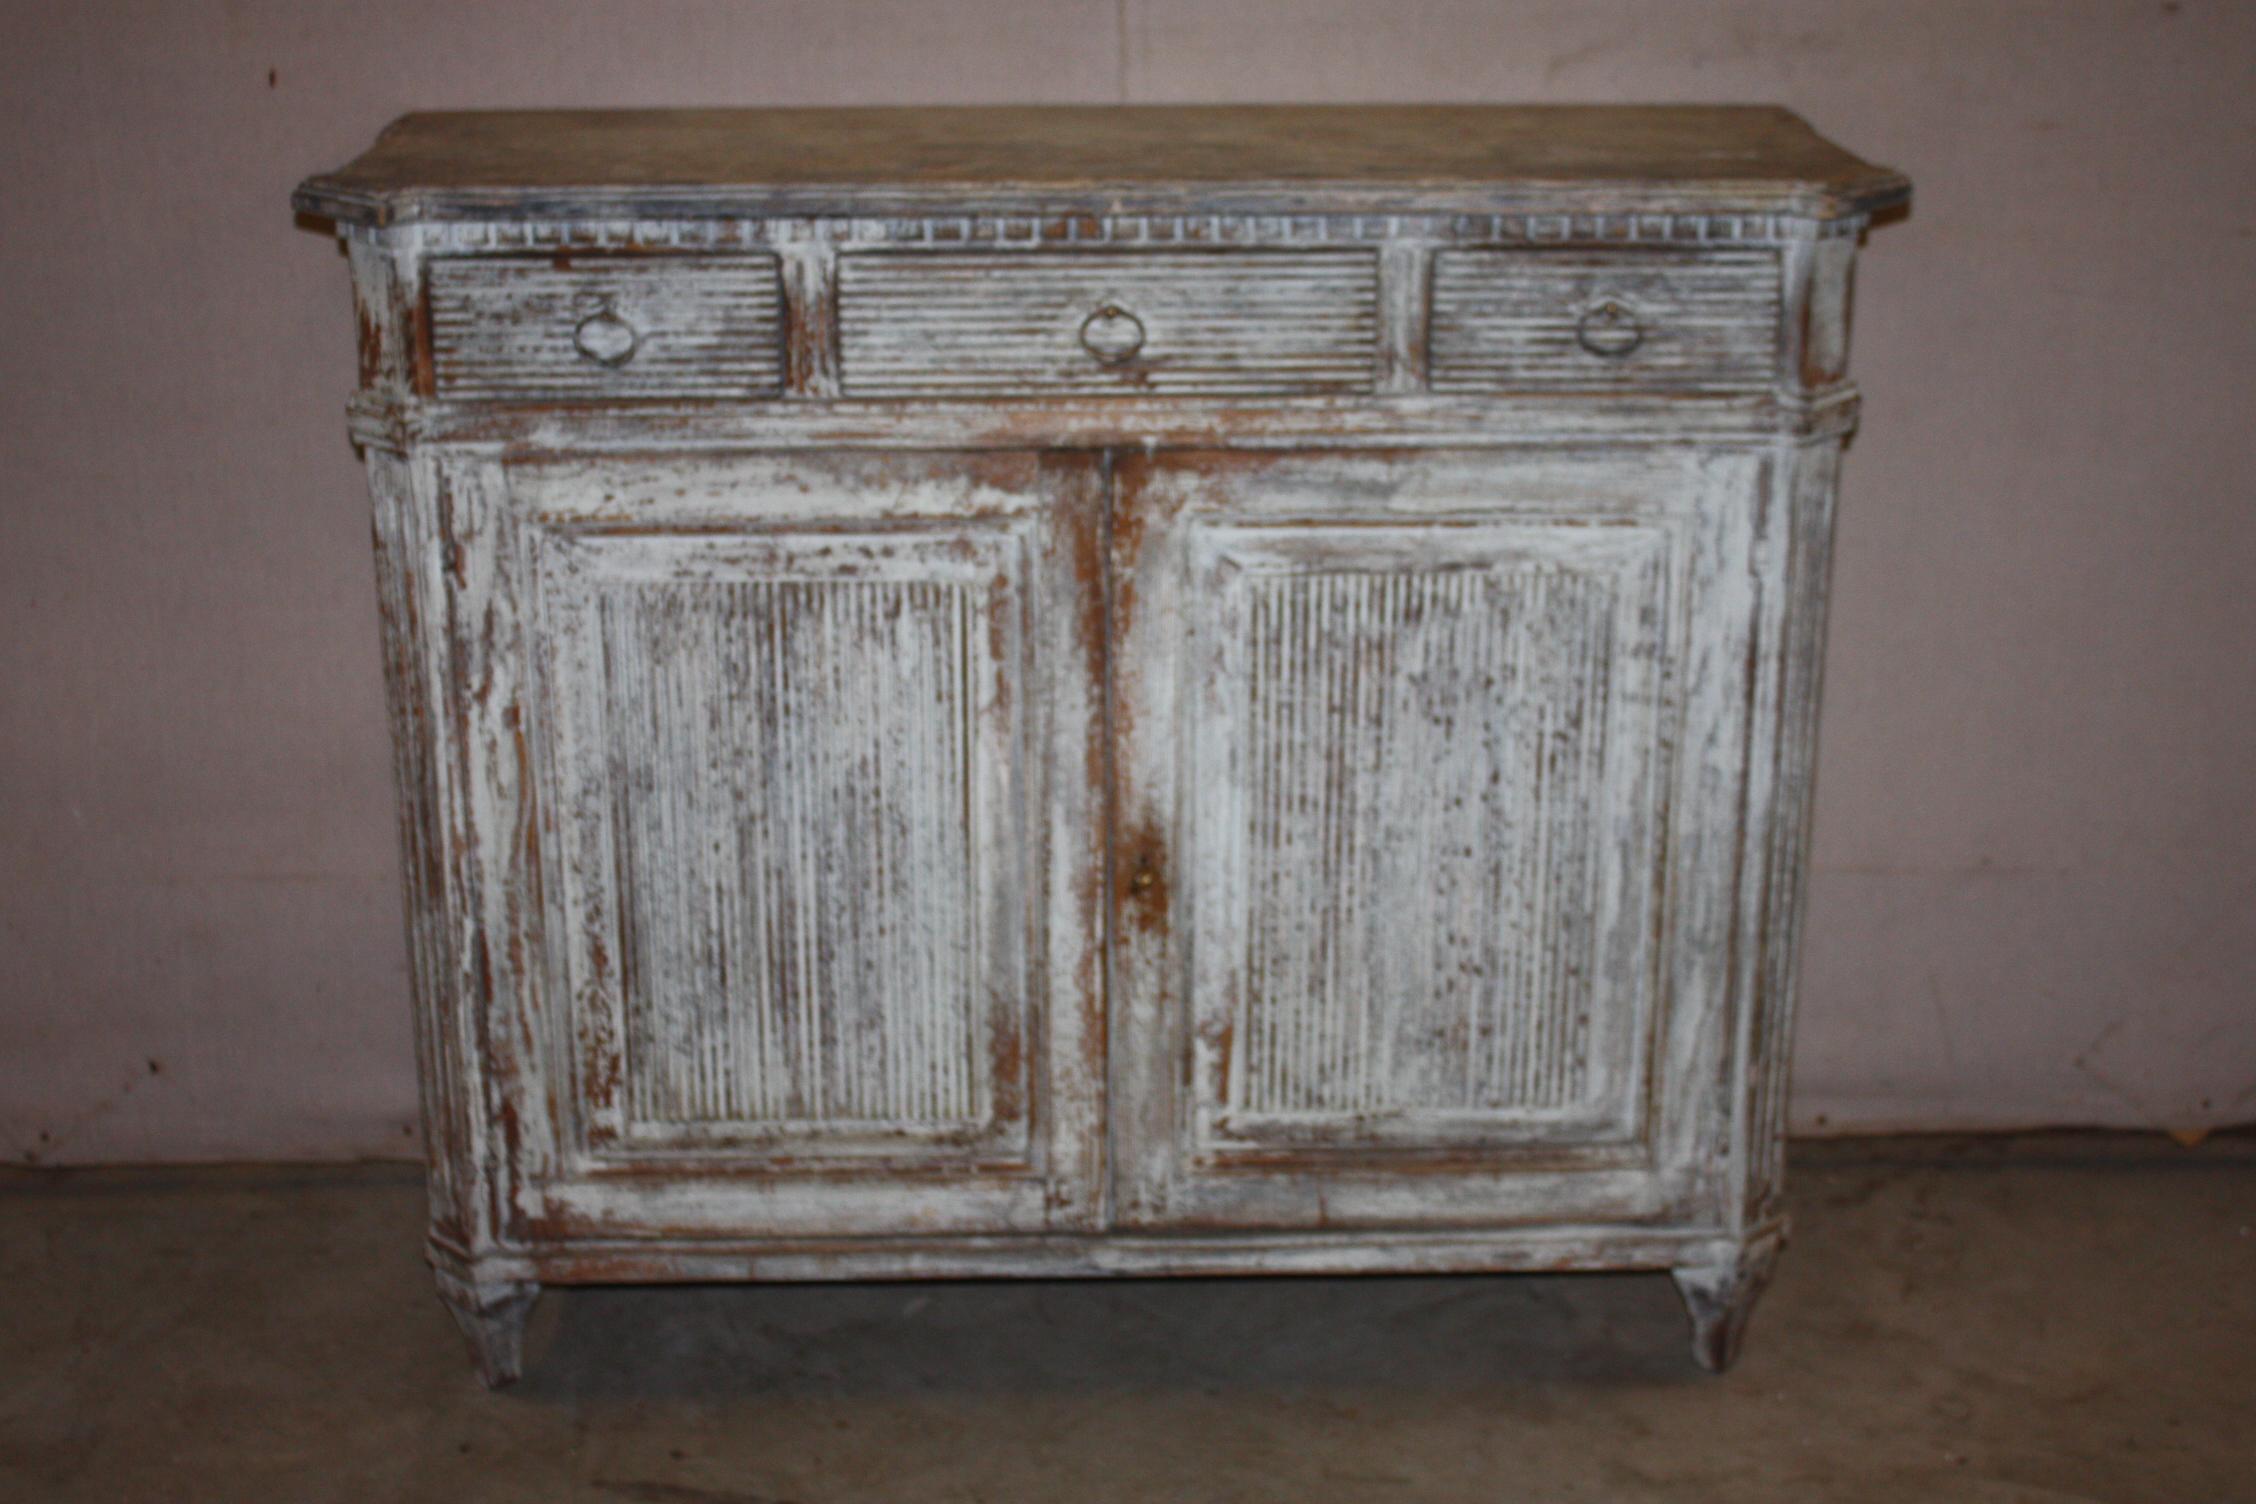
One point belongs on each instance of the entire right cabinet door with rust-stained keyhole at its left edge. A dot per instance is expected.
(1429, 826)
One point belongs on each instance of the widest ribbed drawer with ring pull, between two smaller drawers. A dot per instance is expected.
(1107, 321)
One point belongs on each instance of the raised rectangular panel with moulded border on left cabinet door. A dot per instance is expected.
(770, 957)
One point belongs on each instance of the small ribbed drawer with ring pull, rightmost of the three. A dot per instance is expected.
(1603, 319)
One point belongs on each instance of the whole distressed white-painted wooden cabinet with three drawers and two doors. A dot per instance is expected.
(1102, 691)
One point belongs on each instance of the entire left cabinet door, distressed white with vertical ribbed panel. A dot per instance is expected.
(818, 847)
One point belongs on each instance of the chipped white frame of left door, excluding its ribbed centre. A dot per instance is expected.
(1014, 536)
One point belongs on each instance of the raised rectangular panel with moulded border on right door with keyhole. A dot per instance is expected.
(1267, 596)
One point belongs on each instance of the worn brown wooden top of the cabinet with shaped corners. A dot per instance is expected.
(1102, 159)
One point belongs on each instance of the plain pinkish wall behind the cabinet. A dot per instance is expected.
(2036, 858)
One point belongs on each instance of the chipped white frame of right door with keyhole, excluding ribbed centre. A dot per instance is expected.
(1659, 1149)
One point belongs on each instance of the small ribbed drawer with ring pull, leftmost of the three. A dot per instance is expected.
(649, 326)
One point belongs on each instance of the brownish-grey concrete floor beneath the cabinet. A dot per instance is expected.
(1984, 1322)
